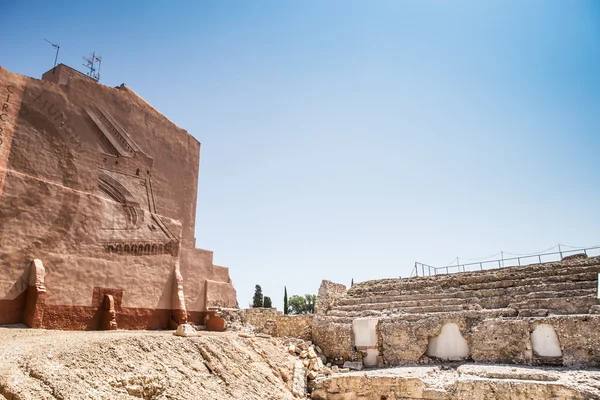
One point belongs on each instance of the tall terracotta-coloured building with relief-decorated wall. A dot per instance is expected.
(97, 210)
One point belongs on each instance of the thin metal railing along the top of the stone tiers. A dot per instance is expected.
(421, 269)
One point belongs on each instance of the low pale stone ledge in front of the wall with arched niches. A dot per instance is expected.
(463, 382)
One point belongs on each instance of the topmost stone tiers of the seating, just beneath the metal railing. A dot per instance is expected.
(481, 278)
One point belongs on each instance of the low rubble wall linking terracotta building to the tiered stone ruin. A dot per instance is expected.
(273, 322)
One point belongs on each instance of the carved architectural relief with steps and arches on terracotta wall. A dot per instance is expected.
(130, 225)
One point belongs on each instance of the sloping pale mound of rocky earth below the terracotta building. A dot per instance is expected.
(42, 364)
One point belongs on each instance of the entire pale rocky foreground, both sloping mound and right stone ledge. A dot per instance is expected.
(43, 364)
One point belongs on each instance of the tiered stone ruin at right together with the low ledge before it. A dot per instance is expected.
(542, 315)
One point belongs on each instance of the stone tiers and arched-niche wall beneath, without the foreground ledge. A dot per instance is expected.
(485, 316)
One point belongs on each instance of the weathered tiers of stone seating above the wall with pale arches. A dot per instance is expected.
(562, 288)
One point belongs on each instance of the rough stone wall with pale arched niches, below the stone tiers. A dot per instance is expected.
(487, 339)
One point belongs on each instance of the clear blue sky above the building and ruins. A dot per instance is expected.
(349, 139)
